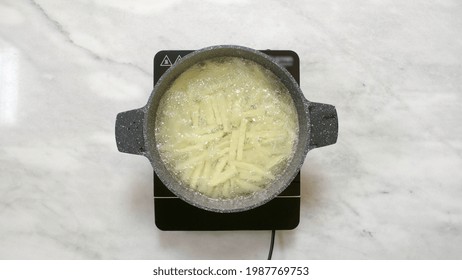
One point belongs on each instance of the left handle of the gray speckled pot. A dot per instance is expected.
(129, 132)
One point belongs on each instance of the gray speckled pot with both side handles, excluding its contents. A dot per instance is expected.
(318, 126)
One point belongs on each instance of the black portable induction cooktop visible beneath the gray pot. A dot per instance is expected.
(172, 213)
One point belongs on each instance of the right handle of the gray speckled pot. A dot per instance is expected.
(323, 124)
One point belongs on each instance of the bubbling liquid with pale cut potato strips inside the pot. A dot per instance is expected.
(226, 127)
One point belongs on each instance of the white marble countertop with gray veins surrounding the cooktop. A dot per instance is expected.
(391, 188)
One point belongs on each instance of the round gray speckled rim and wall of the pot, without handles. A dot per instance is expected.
(240, 203)
